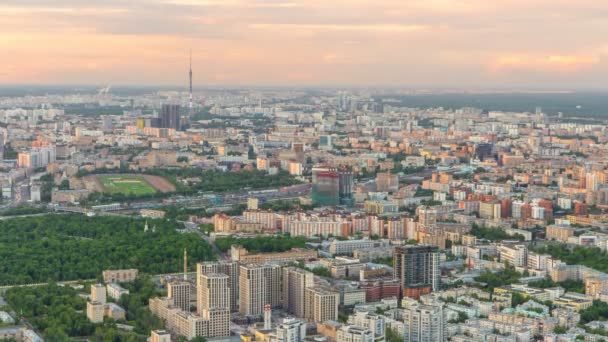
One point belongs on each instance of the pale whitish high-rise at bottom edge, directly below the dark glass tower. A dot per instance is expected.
(424, 323)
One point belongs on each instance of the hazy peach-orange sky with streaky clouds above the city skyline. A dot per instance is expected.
(462, 44)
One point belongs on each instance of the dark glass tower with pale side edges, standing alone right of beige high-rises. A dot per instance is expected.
(417, 269)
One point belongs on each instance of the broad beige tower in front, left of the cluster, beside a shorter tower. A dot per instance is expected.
(213, 292)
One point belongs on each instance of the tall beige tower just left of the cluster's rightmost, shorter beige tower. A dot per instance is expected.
(295, 283)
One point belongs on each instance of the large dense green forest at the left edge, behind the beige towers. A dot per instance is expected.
(67, 247)
